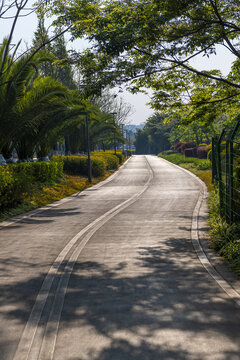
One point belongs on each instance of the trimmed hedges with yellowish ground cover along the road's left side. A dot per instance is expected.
(27, 186)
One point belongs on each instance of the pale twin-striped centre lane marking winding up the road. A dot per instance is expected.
(29, 346)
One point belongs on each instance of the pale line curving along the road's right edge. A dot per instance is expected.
(229, 290)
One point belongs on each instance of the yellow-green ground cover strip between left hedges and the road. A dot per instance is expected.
(49, 193)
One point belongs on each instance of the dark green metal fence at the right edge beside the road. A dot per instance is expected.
(226, 170)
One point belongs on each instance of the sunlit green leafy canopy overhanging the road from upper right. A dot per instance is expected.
(151, 44)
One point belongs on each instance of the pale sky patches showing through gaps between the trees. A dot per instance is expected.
(25, 29)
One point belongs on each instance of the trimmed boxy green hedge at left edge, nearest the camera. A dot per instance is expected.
(18, 179)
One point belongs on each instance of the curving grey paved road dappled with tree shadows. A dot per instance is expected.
(111, 274)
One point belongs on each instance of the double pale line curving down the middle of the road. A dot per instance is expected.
(39, 336)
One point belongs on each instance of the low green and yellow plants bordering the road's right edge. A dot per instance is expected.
(223, 237)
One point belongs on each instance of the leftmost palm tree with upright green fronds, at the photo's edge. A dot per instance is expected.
(16, 79)
